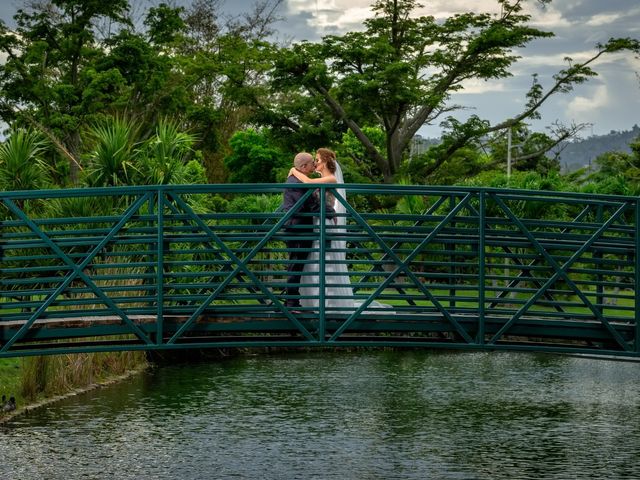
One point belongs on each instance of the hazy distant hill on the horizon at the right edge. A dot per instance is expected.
(580, 153)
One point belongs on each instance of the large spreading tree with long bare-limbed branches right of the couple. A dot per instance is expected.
(400, 73)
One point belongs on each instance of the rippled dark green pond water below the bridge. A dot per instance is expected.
(363, 415)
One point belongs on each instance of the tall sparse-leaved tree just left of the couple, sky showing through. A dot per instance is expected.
(227, 61)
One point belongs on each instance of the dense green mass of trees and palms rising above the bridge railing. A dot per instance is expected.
(98, 95)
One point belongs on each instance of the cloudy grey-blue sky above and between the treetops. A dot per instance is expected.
(610, 101)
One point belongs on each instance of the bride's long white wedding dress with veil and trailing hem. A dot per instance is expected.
(339, 297)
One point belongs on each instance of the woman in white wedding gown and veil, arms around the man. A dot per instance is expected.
(339, 295)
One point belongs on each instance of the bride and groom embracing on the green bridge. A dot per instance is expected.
(303, 257)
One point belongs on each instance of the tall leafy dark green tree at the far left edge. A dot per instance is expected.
(43, 79)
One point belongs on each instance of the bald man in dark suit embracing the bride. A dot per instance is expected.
(298, 225)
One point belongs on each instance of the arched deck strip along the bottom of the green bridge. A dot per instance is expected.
(275, 329)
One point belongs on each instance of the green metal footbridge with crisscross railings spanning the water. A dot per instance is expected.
(200, 266)
